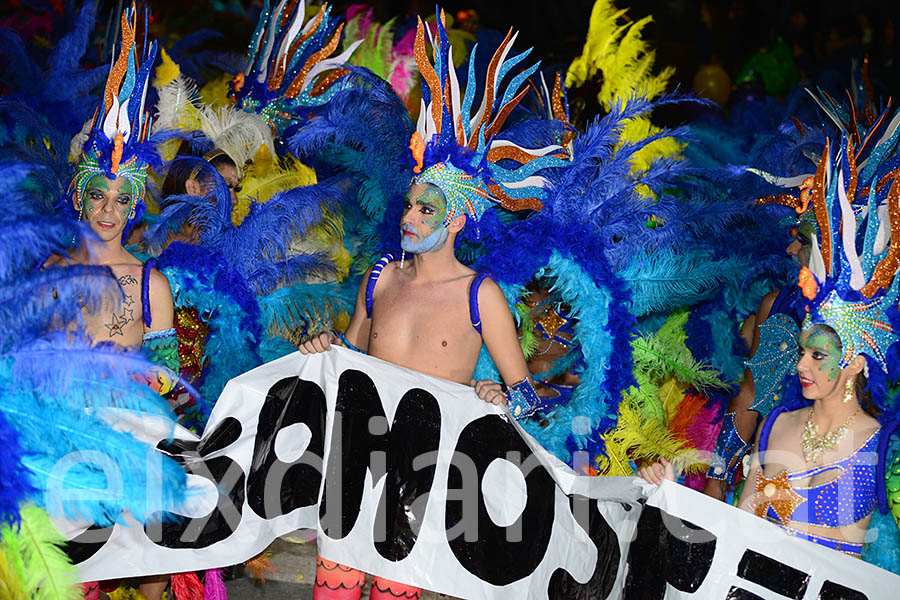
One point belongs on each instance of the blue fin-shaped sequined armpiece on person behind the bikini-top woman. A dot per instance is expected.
(776, 356)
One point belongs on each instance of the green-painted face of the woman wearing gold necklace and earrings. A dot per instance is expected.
(819, 365)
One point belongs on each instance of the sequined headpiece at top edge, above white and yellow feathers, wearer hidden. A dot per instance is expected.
(288, 66)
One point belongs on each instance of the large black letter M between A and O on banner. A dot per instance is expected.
(361, 441)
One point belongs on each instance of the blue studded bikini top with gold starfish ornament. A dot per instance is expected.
(846, 499)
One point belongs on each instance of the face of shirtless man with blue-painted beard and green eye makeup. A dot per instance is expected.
(422, 227)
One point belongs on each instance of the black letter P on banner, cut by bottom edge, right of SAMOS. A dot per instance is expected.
(685, 559)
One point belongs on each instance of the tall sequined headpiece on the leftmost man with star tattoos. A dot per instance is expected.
(116, 145)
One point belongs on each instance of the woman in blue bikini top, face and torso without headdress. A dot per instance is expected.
(815, 472)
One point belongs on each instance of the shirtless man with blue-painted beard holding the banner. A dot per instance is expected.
(422, 314)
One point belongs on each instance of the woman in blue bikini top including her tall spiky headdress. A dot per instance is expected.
(824, 456)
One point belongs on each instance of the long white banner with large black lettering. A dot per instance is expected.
(426, 484)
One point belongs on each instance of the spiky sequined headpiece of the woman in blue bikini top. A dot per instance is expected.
(855, 293)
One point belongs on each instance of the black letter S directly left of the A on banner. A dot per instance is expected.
(177, 531)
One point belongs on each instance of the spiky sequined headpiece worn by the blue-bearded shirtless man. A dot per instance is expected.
(461, 153)
